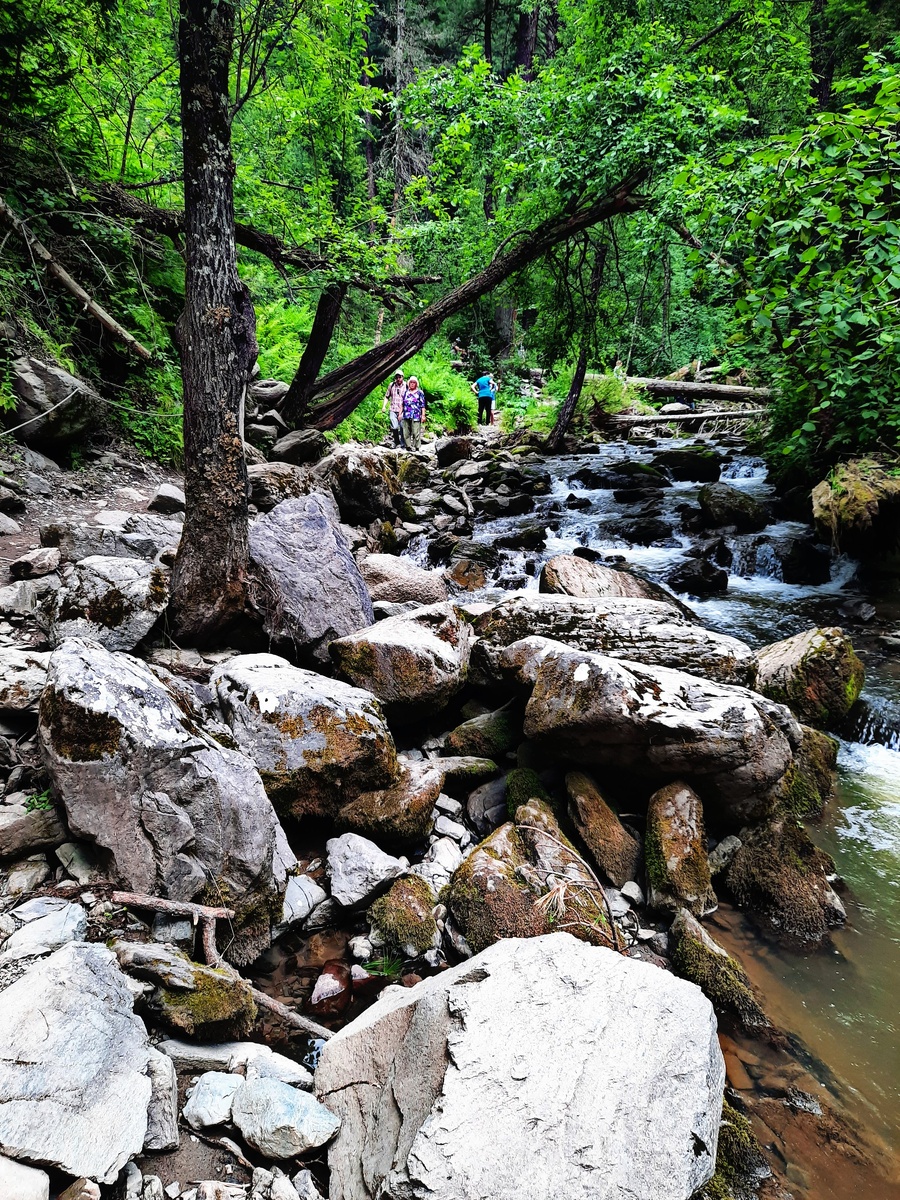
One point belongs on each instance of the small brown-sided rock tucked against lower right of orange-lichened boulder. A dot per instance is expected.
(400, 815)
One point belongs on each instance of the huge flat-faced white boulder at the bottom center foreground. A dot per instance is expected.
(454, 1089)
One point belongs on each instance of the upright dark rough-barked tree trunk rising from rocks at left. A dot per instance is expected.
(218, 340)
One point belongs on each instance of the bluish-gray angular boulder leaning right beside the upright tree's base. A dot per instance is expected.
(319, 591)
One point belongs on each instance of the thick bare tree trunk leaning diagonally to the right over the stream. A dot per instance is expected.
(349, 386)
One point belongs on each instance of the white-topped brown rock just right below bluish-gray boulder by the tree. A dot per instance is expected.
(415, 664)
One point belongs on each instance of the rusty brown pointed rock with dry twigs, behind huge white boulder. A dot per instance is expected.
(523, 881)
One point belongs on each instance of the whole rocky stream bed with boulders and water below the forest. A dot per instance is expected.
(547, 801)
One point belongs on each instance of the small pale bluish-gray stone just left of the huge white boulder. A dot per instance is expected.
(280, 1121)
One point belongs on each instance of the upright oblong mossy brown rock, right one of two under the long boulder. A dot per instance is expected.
(676, 853)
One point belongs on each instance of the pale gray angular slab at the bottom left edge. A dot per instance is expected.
(74, 1090)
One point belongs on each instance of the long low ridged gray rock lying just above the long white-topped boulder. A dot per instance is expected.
(650, 632)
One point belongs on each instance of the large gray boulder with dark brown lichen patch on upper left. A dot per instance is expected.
(177, 814)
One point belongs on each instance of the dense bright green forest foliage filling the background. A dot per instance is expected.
(651, 182)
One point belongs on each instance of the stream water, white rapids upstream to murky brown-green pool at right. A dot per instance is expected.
(842, 1004)
